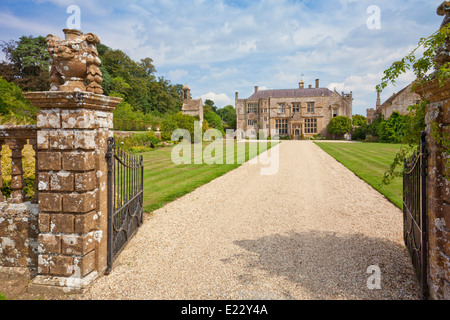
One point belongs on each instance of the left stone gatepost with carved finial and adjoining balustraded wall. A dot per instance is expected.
(63, 238)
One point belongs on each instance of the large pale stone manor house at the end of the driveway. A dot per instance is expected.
(292, 112)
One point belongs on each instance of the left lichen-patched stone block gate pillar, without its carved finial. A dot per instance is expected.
(73, 129)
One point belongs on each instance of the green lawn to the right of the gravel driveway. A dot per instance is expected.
(369, 161)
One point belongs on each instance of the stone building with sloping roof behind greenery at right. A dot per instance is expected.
(399, 102)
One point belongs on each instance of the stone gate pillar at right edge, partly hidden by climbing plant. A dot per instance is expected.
(437, 118)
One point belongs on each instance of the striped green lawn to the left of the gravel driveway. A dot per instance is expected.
(164, 181)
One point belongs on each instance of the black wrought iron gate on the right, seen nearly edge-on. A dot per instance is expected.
(415, 212)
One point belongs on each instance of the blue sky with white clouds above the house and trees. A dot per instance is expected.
(219, 47)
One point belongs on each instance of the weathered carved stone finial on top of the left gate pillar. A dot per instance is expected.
(74, 62)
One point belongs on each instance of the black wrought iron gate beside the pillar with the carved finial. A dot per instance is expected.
(125, 198)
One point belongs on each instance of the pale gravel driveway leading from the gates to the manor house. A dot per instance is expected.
(309, 232)
